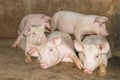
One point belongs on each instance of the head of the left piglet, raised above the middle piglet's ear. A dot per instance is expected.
(36, 34)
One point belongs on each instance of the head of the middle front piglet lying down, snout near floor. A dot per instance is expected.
(49, 53)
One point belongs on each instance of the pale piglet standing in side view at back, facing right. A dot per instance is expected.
(79, 24)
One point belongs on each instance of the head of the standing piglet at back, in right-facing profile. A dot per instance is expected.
(99, 26)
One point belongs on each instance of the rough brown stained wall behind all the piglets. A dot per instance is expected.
(12, 11)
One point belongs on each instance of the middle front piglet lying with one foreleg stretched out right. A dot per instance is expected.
(58, 48)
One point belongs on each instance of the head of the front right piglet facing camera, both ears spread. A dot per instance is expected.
(91, 55)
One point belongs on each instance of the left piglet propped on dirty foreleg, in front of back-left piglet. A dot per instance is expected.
(31, 37)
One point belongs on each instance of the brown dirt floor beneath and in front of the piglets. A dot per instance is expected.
(13, 67)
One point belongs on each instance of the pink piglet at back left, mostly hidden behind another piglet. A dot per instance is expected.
(32, 20)
